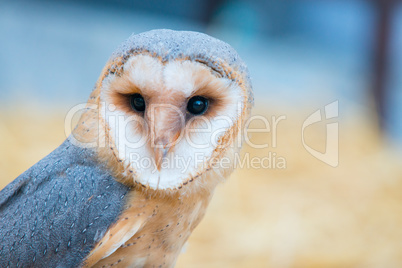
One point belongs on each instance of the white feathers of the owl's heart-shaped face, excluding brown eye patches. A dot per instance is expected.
(189, 154)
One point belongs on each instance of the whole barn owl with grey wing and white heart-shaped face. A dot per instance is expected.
(160, 130)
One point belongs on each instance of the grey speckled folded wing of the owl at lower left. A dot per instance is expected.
(54, 214)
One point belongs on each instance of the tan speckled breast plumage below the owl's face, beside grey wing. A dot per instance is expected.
(166, 222)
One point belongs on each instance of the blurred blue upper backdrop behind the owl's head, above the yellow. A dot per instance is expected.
(298, 52)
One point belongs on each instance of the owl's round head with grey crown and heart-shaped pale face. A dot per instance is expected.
(172, 107)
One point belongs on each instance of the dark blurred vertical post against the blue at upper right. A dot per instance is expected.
(384, 10)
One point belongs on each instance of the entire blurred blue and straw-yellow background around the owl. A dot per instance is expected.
(302, 55)
